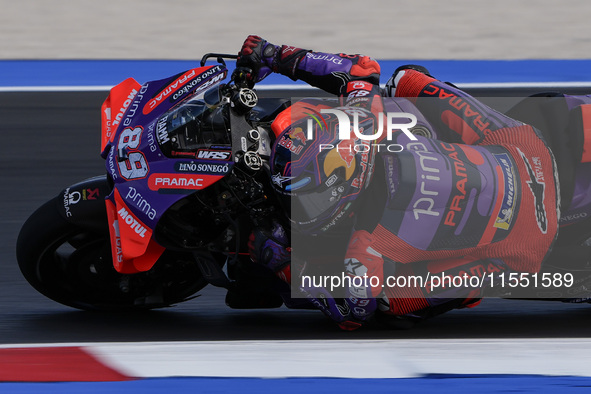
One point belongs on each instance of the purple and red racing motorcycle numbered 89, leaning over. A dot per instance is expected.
(185, 184)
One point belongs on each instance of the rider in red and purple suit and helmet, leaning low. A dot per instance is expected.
(483, 202)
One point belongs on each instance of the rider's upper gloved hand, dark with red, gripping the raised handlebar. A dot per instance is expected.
(255, 56)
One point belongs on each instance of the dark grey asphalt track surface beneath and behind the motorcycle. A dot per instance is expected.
(51, 140)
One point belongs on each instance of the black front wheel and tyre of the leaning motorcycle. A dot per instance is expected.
(72, 265)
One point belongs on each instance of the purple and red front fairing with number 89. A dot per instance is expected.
(145, 181)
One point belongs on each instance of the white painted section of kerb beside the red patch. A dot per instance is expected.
(344, 359)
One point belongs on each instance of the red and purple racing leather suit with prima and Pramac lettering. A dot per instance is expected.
(475, 193)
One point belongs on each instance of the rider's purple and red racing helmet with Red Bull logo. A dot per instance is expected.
(317, 176)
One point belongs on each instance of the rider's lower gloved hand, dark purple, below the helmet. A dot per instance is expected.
(270, 247)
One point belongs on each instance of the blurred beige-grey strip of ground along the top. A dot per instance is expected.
(384, 29)
